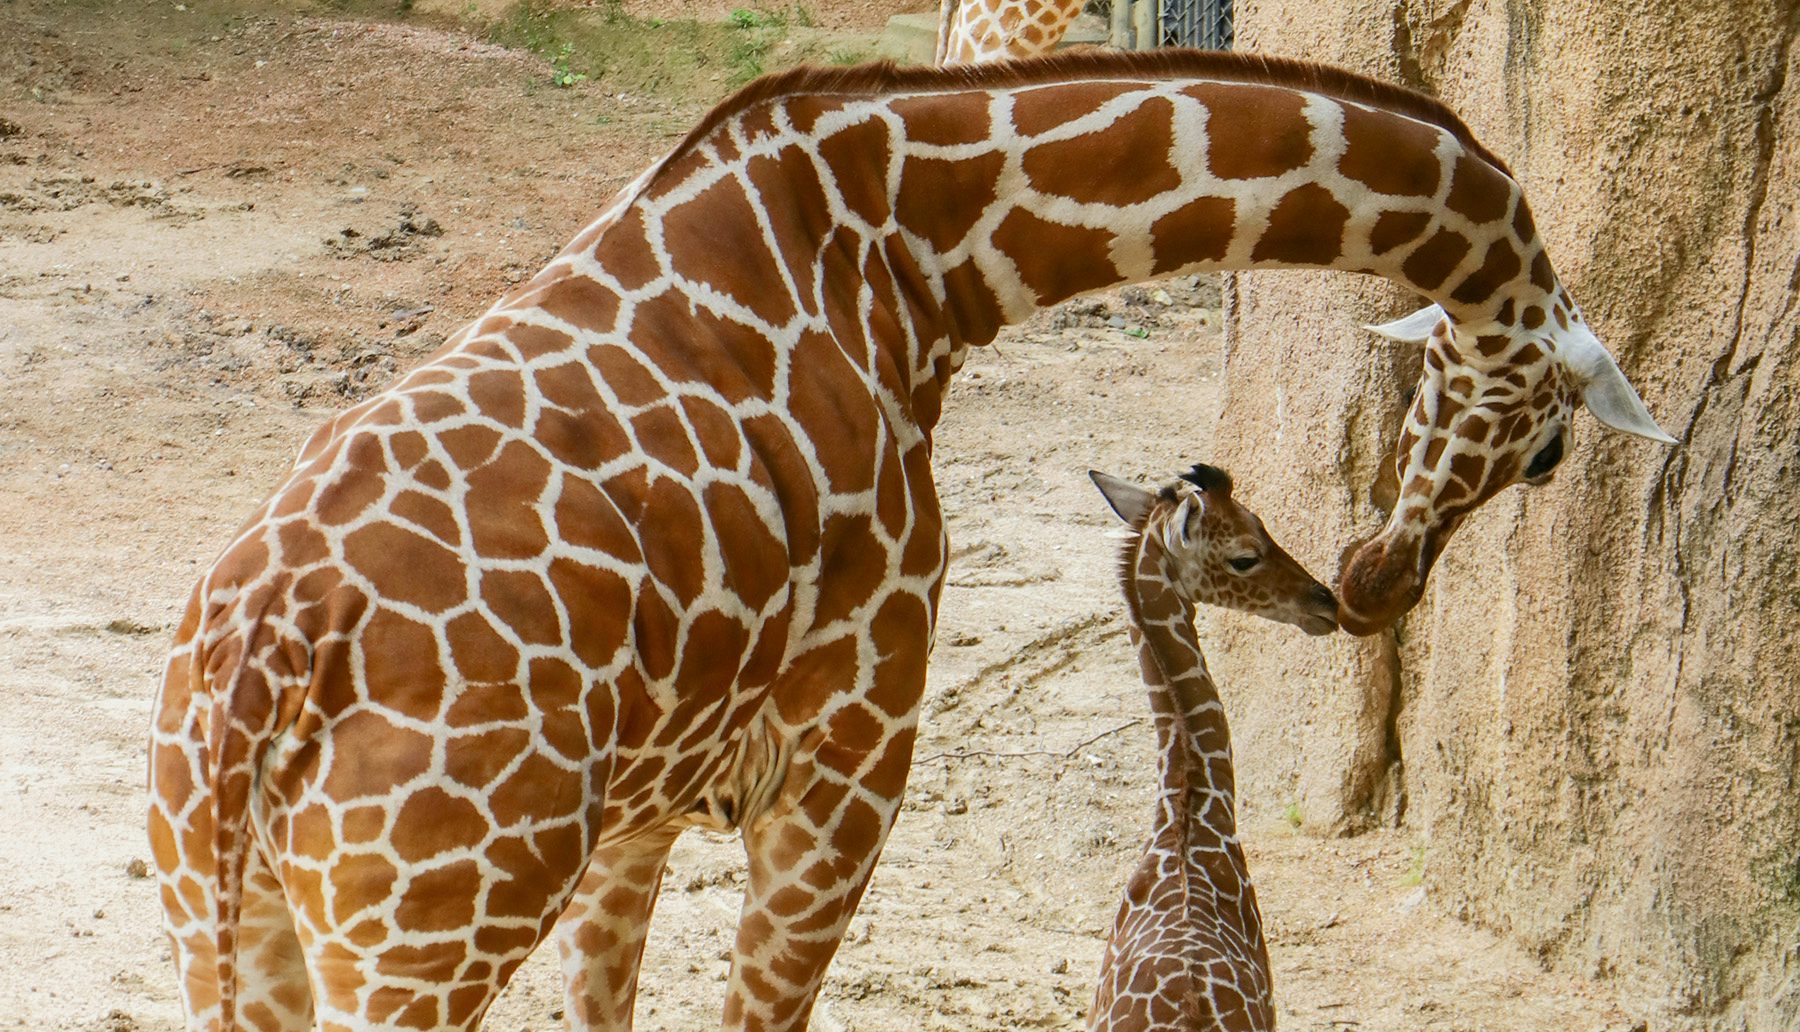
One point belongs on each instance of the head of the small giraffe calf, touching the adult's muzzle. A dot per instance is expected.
(1216, 552)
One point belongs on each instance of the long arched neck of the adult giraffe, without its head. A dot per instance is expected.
(1025, 185)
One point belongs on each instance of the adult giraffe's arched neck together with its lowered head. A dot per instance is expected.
(877, 222)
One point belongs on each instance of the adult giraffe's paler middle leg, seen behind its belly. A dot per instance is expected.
(602, 932)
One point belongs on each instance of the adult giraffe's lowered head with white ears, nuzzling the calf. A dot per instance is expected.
(1495, 406)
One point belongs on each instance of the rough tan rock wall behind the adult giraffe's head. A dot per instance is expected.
(1594, 716)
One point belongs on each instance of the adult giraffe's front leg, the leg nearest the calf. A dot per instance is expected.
(813, 851)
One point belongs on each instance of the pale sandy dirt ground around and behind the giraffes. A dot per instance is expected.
(219, 224)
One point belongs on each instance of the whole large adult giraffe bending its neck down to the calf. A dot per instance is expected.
(656, 541)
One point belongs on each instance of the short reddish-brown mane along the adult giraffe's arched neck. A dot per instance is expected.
(1095, 64)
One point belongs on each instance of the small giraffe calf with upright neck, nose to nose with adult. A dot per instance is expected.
(1187, 948)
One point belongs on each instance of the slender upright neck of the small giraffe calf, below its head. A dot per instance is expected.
(1196, 784)
